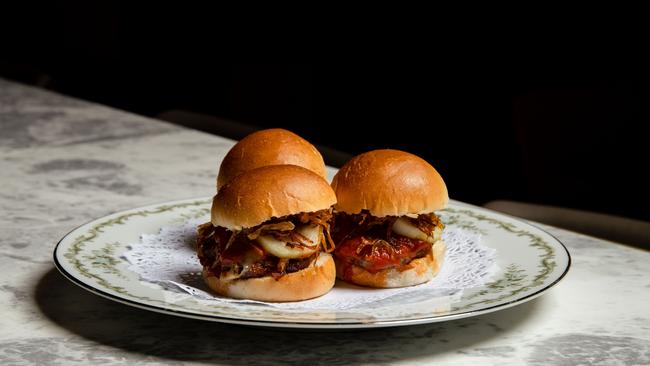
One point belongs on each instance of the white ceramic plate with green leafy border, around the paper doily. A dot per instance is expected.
(530, 262)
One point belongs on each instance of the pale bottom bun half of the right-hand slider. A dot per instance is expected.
(419, 271)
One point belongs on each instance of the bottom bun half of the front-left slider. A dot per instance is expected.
(313, 281)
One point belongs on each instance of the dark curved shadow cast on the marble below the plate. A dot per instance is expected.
(150, 334)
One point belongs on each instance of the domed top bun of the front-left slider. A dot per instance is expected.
(271, 191)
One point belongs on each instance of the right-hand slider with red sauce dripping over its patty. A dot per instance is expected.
(385, 228)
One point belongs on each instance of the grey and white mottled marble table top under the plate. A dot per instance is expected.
(64, 161)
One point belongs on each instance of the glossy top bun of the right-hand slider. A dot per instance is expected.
(389, 183)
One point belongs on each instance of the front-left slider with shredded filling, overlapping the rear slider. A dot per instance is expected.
(269, 238)
